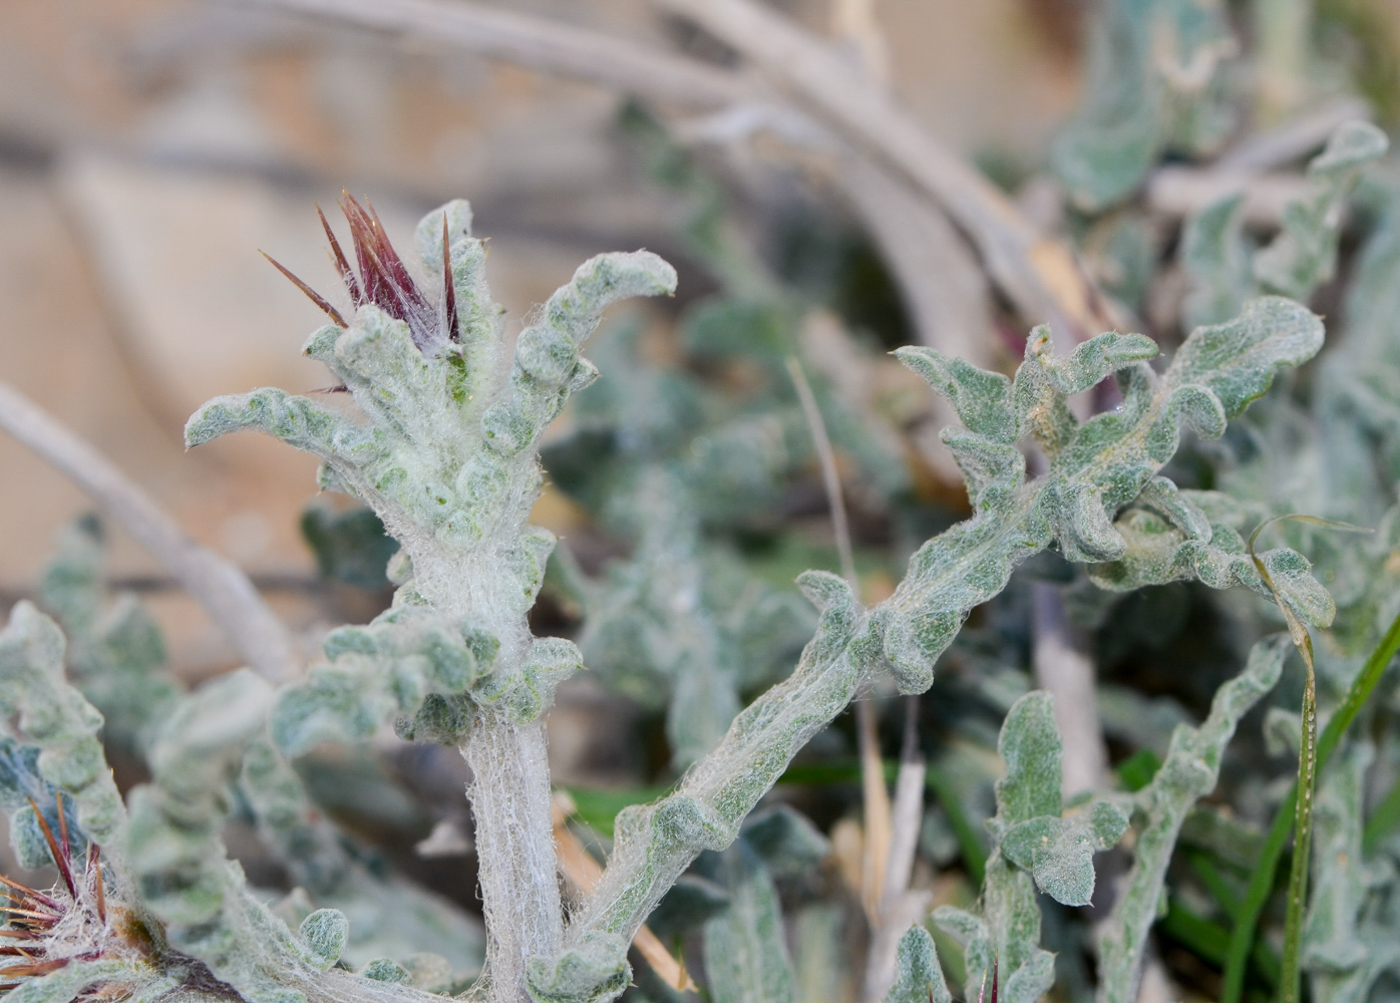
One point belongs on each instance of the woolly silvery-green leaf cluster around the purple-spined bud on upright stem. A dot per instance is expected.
(446, 453)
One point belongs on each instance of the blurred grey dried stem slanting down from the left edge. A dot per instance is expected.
(222, 589)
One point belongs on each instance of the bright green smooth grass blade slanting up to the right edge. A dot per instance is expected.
(1262, 882)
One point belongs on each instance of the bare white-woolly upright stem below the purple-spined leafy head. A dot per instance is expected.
(517, 859)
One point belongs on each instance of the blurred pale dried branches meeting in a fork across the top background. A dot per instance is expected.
(1039, 275)
